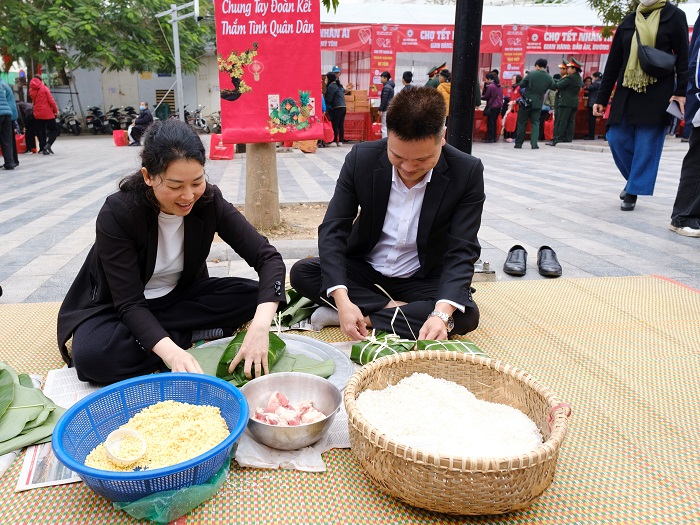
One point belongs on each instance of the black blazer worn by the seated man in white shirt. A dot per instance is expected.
(447, 228)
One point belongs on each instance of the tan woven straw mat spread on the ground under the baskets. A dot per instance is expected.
(623, 351)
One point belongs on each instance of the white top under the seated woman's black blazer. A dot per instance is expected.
(170, 256)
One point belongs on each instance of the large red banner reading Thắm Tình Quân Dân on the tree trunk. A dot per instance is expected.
(267, 75)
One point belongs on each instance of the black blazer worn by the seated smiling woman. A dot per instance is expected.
(123, 258)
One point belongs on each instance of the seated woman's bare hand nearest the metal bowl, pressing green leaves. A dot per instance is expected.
(256, 343)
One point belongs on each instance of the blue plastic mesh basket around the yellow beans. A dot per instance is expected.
(88, 423)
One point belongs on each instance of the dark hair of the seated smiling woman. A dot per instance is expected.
(164, 142)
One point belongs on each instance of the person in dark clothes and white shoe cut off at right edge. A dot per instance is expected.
(685, 218)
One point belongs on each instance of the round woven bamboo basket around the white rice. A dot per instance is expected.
(458, 485)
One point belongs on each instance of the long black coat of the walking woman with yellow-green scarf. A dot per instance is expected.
(646, 108)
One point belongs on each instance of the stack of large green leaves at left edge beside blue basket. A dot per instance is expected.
(27, 416)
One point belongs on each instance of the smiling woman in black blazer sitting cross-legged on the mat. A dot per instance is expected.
(144, 287)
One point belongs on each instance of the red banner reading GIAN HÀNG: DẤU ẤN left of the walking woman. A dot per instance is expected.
(574, 40)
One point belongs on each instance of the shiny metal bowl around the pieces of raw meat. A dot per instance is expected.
(297, 387)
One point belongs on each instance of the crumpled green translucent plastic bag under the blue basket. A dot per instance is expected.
(166, 506)
